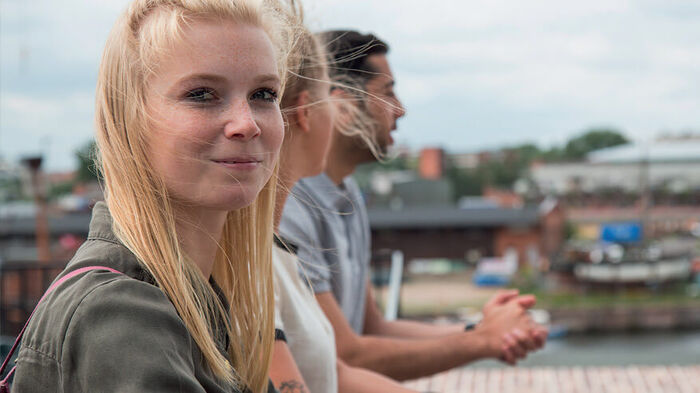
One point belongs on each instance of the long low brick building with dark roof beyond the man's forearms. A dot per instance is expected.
(534, 232)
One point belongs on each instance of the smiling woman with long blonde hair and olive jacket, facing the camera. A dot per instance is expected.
(188, 131)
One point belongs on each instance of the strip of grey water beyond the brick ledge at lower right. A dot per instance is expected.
(671, 348)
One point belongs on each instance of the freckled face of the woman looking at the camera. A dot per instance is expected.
(215, 123)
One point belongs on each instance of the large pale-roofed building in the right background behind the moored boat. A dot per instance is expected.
(657, 183)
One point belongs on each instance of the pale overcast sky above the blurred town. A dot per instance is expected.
(472, 74)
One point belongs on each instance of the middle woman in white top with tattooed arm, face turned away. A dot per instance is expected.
(304, 356)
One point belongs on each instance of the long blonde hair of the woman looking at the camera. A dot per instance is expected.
(140, 206)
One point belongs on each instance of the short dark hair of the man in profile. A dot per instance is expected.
(349, 50)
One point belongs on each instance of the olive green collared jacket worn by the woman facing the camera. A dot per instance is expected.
(110, 332)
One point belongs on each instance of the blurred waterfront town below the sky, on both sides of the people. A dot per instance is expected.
(605, 231)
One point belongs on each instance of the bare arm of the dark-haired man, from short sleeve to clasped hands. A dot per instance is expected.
(404, 359)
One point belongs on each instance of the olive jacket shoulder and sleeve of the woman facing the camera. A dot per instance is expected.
(101, 328)
